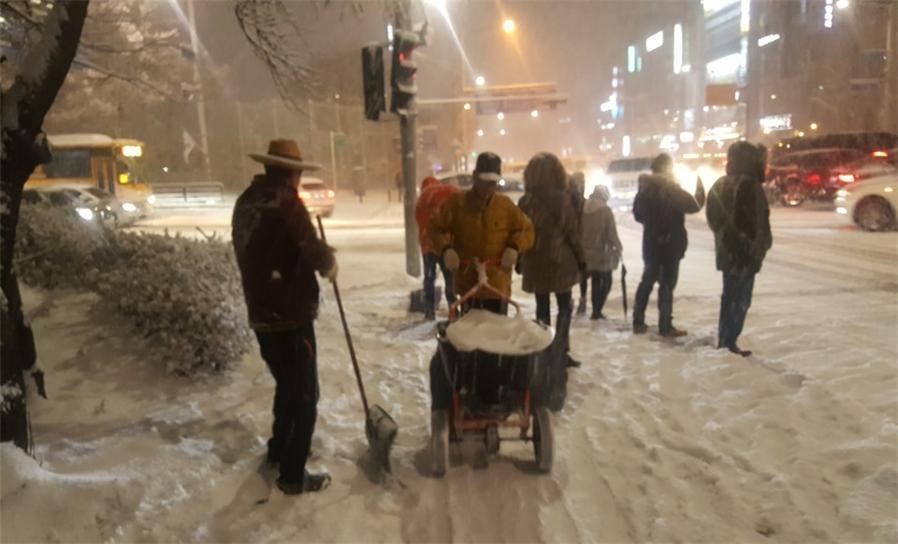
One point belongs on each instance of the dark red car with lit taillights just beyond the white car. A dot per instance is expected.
(814, 174)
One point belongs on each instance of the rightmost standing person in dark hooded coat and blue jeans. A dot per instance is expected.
(739, 215)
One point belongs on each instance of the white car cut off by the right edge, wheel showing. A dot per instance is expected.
(871, 204)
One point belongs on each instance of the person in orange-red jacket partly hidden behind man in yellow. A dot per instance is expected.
(433, 195)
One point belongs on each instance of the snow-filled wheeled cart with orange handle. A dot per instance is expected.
(494, 365)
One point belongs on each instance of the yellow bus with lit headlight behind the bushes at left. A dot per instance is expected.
(111, 164)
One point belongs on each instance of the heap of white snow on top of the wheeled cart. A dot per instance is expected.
(494, 333)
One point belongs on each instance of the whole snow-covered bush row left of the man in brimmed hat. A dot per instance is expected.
(182, 295)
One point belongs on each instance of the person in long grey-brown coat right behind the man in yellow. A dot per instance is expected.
(554, 263)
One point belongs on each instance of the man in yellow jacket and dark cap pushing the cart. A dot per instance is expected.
(485, 225)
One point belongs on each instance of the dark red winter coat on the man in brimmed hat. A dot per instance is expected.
(278, 253)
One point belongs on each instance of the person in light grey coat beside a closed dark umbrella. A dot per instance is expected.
(601, 247)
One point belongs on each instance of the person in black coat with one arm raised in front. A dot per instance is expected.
(661, 206)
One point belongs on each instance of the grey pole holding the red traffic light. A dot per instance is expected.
(407, 140)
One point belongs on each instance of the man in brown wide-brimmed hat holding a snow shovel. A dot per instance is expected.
(278, 253)
